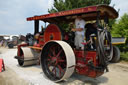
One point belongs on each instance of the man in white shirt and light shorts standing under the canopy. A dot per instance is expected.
(79, 32)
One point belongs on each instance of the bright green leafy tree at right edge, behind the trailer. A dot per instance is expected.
(120, 29)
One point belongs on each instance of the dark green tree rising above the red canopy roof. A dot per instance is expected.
(62, 5)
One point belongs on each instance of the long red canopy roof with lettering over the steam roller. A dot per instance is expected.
(87, 13)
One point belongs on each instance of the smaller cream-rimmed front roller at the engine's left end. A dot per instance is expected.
(27, 56)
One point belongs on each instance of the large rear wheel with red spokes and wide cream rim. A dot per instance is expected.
(57, 60)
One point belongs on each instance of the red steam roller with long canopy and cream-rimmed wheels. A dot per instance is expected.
(55, 52)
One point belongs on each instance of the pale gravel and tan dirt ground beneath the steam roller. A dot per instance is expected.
(33, 75)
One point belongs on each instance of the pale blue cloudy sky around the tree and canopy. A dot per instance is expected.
(13, 14)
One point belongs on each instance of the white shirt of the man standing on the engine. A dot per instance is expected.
(80, 24)
